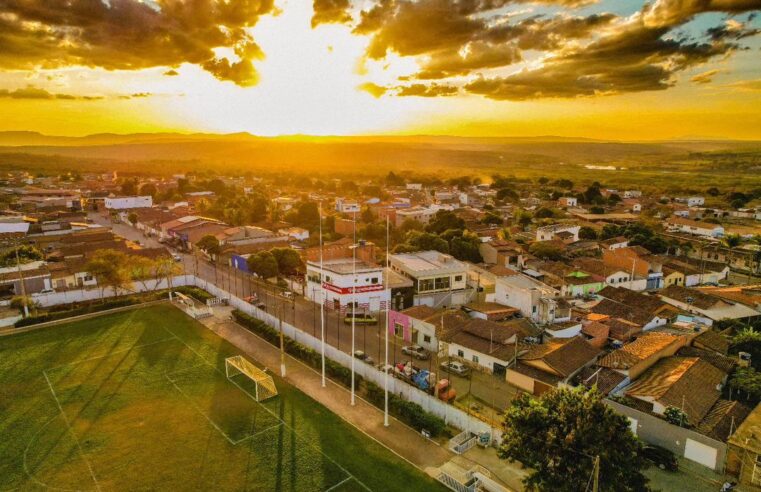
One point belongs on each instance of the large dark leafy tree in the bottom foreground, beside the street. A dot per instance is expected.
(559, 435)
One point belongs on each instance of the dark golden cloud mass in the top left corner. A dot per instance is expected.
(131, 35)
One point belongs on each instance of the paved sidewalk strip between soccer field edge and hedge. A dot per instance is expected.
(399, 438)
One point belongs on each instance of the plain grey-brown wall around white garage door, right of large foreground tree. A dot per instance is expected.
(654, 430)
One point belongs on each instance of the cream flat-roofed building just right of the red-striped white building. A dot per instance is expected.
(439, 279)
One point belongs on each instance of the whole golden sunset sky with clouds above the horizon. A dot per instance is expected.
(609, 69)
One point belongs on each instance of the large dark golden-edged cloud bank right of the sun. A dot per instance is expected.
(473, 44)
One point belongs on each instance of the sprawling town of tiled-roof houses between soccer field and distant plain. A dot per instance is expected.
(464, 296)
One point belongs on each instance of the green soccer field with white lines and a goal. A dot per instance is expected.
(139, 400)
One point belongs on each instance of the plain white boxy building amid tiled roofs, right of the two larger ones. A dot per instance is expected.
(535, 299)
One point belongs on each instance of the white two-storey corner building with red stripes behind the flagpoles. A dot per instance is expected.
(346, 283)
